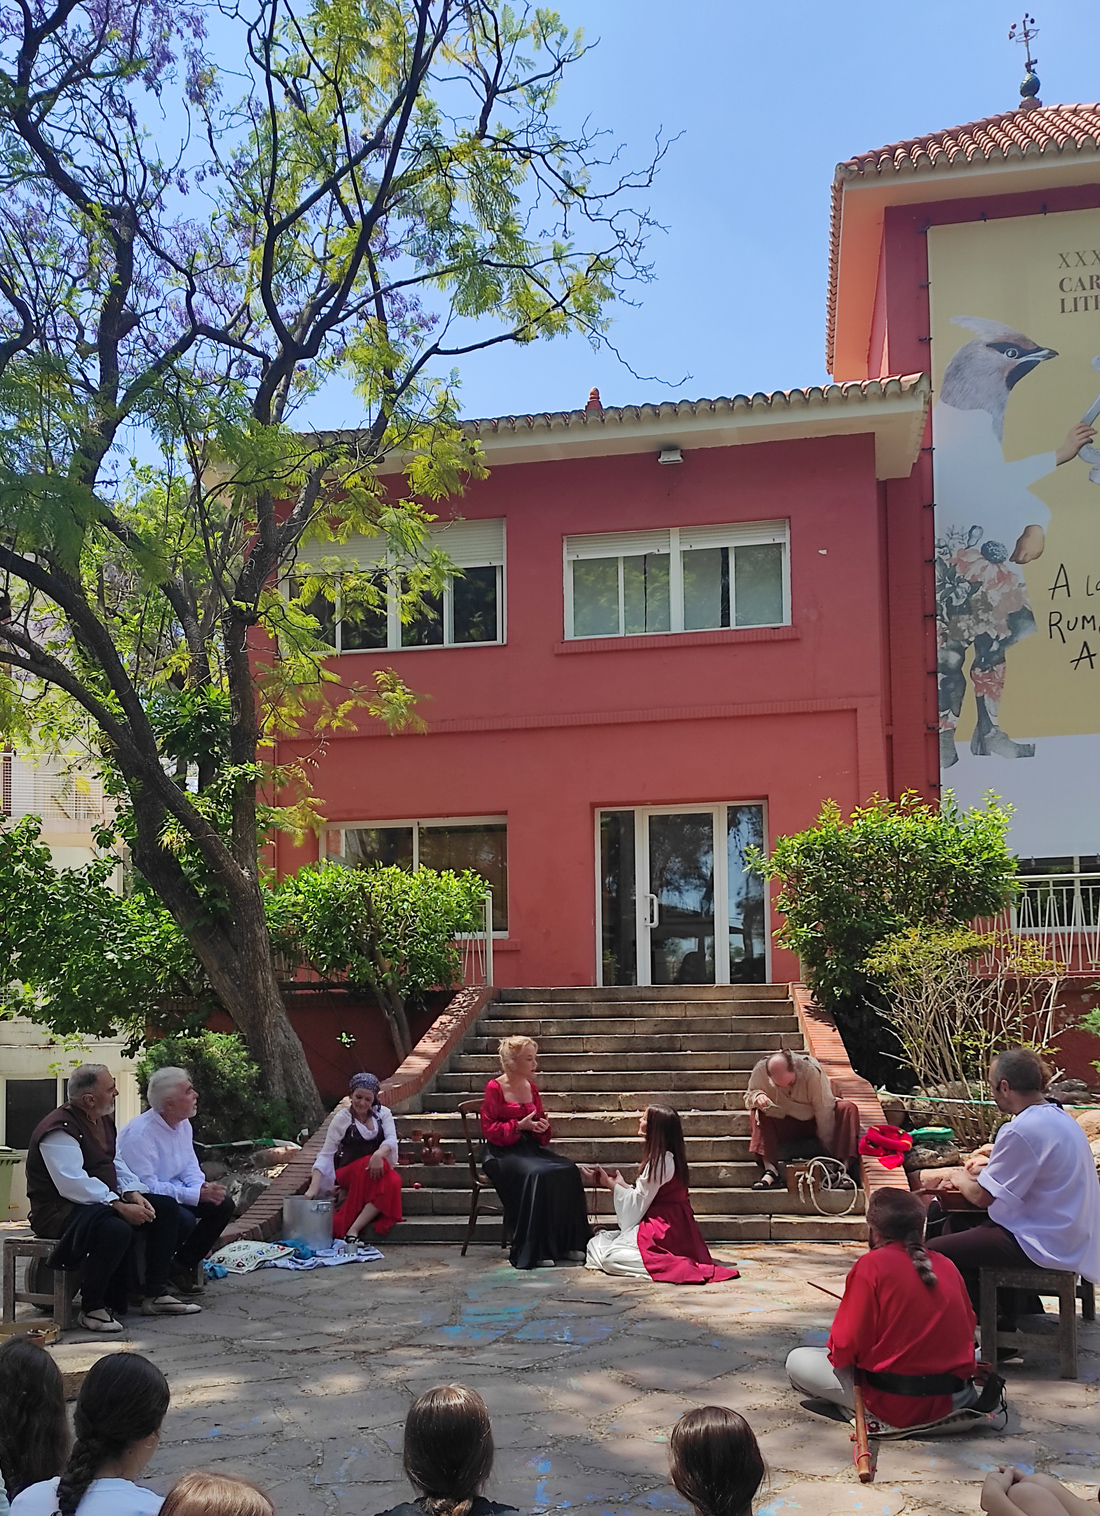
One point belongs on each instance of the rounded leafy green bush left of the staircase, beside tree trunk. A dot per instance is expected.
(386, 930)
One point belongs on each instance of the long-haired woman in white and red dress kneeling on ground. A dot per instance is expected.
(660, 1236)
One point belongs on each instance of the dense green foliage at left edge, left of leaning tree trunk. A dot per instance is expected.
(73, 953)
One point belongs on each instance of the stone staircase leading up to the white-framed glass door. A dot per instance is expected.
(604, 1056)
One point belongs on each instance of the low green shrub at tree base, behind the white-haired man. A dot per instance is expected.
(231, 1101)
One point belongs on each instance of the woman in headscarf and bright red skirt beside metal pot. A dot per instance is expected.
(358, 1156)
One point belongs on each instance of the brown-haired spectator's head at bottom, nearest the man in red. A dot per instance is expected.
(716, 1462)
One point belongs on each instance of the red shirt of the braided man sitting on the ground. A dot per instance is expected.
(890, 1323)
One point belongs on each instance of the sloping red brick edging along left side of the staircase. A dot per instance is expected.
(264, 1218)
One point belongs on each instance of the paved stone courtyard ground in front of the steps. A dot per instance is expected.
(302, 1382)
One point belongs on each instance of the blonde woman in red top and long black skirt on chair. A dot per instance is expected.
(542, 1192)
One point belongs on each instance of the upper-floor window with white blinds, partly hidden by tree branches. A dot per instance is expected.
(369, 604)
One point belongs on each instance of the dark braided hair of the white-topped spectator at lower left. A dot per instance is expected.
(123, 1400)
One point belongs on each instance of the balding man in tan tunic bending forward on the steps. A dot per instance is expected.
(789, 1101)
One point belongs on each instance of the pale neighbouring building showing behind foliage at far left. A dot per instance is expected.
(33, 1062)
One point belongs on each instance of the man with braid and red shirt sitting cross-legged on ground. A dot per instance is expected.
(905, 1324)
